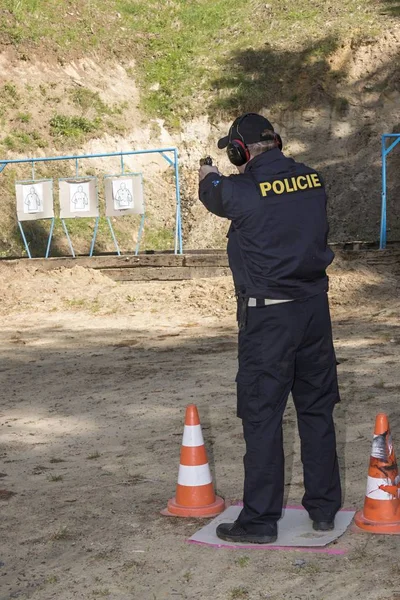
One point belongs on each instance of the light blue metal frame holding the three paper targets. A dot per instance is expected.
(164, 152)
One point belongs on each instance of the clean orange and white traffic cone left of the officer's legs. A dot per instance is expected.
(195, 496)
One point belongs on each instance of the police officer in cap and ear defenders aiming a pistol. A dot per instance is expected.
(278, 255)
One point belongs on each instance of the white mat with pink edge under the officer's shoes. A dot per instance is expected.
(294, 531)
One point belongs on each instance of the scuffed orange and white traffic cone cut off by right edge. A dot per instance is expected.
(381, 513)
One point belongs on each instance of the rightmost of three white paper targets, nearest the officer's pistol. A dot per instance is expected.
(124, 195)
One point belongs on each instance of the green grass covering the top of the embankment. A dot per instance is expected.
(190, 53)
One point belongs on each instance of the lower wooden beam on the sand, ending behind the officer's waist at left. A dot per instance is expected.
(162, 274)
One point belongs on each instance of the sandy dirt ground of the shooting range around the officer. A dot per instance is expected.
(95, 377)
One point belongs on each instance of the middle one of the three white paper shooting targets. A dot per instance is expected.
(78, 198)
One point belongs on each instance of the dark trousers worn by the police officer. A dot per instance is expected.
(288, 348)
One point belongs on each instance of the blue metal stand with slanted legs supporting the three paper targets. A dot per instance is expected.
(169, 154)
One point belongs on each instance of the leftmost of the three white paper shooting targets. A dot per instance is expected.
(34, 200)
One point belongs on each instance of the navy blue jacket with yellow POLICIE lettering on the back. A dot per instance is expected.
(277, 242)
